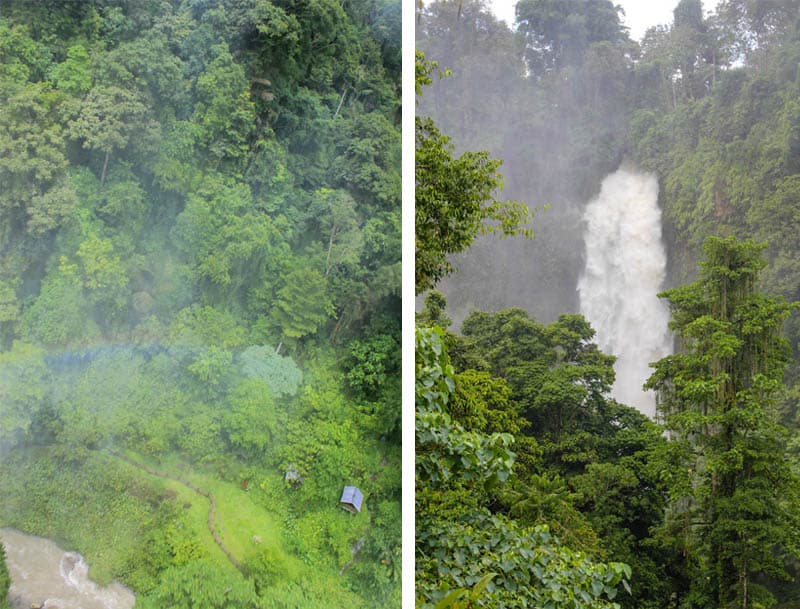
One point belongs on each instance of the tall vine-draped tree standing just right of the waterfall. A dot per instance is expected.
(735, 507)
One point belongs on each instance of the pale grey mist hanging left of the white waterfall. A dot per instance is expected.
(557, 138)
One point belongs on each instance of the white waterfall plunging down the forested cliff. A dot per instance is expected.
(625, 269)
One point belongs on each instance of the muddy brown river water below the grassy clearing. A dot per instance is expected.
(43, 575)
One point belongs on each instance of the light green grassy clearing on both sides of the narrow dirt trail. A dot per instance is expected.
(111, 511)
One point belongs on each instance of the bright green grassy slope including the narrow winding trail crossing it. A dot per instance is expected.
(239, 530)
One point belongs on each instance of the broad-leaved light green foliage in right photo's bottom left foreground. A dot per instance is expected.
(531, 568)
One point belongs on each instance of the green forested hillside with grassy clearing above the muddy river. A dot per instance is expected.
(200, 289)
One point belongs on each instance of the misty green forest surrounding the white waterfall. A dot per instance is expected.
(704, 515)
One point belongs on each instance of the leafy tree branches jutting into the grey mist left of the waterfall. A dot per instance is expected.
(454, 197)
